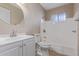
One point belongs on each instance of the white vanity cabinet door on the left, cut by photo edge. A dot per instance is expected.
(13, 49)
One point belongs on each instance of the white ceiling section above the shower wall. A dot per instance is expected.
(48, 6)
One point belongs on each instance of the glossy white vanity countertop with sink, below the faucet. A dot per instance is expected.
(7, 39)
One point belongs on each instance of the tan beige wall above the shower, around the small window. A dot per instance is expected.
(69, 9)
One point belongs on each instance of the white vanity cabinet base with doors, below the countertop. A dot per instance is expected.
(25, 47)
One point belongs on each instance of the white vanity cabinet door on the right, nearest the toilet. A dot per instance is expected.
(29, 47)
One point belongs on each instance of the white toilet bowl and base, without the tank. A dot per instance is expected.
(43, 48)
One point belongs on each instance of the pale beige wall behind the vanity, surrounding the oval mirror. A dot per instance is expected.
(31, 23)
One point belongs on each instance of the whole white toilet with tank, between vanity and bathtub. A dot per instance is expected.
(42, 47)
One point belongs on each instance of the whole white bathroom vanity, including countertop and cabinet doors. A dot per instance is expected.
(21, 45)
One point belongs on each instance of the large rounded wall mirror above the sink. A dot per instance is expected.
(9, 13)
